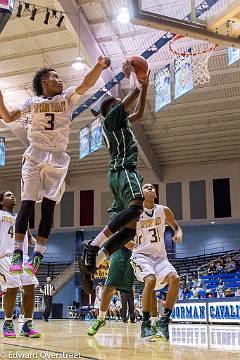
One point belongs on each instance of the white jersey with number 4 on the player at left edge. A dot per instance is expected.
(7, 234)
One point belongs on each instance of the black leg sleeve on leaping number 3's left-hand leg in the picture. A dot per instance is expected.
(26, 209)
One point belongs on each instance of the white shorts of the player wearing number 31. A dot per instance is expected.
(144, 265)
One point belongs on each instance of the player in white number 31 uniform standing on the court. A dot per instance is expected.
(150, 262)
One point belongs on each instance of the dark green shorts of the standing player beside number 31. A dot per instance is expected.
(121, 274)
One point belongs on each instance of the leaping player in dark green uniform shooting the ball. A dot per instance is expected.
(123, 178)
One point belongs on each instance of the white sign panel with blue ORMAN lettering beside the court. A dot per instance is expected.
(192, 312)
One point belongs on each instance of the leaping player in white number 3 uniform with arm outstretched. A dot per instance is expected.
(45, 162)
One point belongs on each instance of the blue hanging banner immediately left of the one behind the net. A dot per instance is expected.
(162, 84)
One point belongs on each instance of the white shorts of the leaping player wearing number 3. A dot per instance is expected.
(43, 174)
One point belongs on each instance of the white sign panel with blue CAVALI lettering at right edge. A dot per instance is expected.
(224, 312)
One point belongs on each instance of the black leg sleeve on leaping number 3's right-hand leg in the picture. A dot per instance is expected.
(47, 214)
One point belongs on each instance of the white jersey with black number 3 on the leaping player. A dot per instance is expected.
(50, 119)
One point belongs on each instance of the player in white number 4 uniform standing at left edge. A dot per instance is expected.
(9, 282)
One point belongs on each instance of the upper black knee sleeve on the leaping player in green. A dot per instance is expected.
(133, 212)
